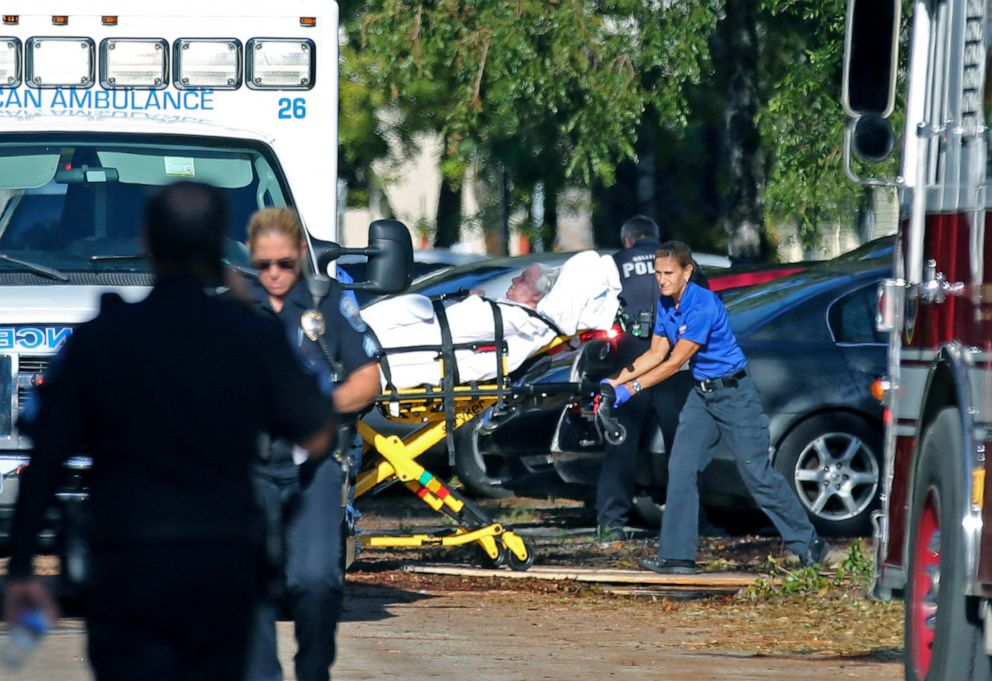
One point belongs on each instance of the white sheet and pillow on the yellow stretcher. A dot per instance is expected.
(583, 297)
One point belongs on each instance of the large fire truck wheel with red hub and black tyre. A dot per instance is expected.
(943, 630)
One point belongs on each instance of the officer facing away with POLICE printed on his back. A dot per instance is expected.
(615, 491)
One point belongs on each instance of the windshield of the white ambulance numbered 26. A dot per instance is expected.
(74, 203)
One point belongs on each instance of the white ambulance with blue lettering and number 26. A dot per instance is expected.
(102, 103)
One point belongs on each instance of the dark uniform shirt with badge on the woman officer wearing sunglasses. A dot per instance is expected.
(347, 340)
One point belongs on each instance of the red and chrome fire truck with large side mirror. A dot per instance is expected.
(933, 534)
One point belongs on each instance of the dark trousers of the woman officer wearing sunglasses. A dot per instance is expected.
(314, 579)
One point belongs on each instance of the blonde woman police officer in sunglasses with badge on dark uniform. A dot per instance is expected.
(333, 342)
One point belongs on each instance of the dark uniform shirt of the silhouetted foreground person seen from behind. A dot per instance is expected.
(170, 396)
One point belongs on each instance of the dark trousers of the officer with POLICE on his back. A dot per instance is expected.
(618, 477)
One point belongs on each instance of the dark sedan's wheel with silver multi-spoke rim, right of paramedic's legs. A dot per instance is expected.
(833, 462)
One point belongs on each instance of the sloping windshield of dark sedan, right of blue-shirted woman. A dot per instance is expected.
(748, 307)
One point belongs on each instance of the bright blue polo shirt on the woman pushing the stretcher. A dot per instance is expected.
(701, 318)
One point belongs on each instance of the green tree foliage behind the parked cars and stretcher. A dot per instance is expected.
(562, 91)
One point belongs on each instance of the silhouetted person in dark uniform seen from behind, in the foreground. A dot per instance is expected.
(170, 396)
